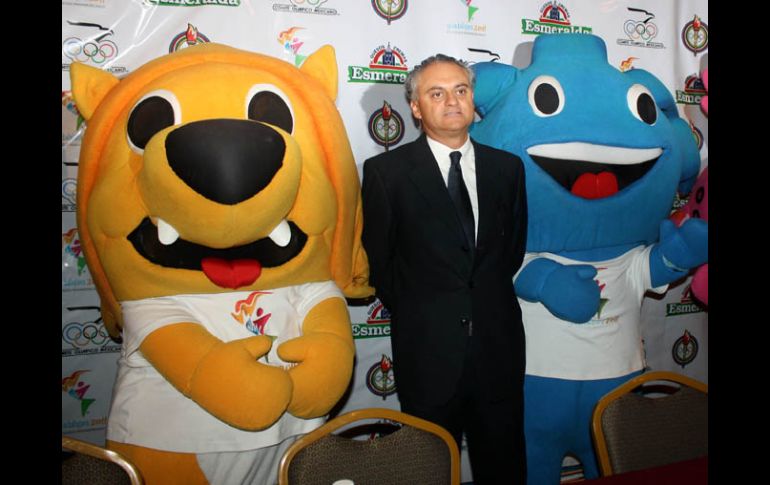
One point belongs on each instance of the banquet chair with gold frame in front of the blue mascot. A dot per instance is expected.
(645, 423)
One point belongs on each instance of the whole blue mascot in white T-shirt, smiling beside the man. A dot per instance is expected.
(604, 153)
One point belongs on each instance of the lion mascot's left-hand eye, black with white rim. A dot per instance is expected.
(154, 112)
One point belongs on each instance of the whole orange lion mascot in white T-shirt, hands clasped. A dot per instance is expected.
(220, 215)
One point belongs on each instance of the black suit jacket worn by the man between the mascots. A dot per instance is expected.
(435, 286)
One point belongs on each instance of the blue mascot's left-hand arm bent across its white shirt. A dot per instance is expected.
(568, 292)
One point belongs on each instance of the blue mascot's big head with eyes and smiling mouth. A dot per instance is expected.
(604, 151)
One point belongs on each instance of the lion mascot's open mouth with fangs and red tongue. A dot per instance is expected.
(229, 267)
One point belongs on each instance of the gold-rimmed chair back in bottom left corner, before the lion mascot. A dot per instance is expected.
(85, 463)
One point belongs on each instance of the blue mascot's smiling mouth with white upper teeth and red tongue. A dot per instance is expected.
(594, 171)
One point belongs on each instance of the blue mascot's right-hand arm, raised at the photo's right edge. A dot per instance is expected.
(679, 250)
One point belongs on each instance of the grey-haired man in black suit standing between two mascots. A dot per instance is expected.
(445, 223)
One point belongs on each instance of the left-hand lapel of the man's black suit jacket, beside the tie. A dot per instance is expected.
(429, 182)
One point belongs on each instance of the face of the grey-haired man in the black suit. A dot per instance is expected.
(444, 101)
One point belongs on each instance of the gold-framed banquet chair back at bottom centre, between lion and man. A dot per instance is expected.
(410, 450)
